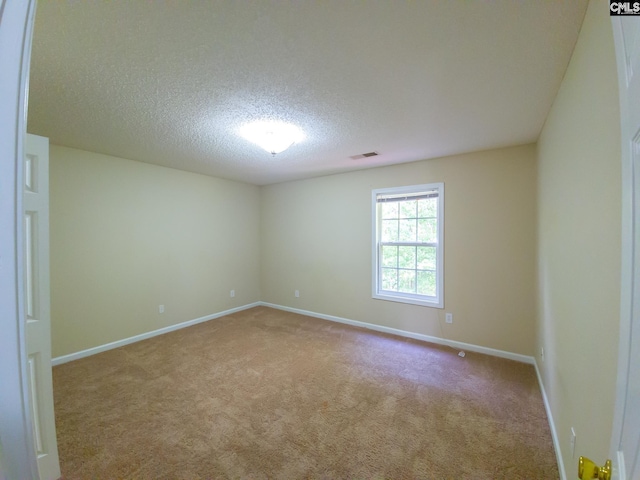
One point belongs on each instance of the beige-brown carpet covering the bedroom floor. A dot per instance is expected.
(269, 394)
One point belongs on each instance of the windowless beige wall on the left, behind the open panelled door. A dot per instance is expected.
(128, 236)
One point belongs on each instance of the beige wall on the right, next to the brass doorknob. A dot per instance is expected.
(579, 192)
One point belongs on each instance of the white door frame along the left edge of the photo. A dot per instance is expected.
(17, 455)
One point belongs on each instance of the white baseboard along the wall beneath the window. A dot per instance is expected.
(403, 333)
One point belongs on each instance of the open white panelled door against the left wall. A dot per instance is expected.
(37, 304)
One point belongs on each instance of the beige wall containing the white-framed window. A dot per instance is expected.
(316, 237)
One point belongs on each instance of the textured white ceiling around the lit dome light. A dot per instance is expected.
(171, 82)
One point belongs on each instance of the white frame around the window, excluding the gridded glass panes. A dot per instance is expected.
(436, 301)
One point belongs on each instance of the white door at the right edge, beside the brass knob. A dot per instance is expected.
(625, 441)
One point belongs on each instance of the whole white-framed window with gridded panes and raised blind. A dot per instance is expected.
(407, 244)
